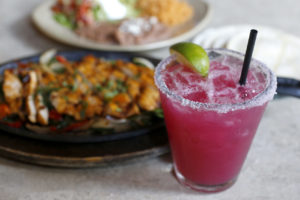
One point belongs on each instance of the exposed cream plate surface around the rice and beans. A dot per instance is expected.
(43, 19)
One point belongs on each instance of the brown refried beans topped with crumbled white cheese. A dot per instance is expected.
(127, 32)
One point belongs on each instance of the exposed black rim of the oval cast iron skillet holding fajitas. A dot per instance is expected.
(70, 137)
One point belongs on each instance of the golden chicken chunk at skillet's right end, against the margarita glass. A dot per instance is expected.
(149, 99)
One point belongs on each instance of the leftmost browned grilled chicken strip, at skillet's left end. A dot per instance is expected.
(12, 89)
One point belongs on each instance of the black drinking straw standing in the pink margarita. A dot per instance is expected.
(248, 56)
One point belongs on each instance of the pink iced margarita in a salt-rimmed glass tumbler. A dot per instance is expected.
(212, 120)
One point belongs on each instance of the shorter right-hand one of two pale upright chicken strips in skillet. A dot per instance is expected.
(42, 110)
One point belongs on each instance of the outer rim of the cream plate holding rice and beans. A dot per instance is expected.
(85, 43)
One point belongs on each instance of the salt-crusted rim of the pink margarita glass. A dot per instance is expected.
(266, 95)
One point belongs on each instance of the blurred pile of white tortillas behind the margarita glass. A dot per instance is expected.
(279, 50)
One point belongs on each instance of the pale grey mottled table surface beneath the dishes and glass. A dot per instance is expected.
(272, 168)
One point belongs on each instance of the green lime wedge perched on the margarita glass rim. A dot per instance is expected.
(192, 55)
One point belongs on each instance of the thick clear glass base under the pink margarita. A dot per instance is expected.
(202, 188)
